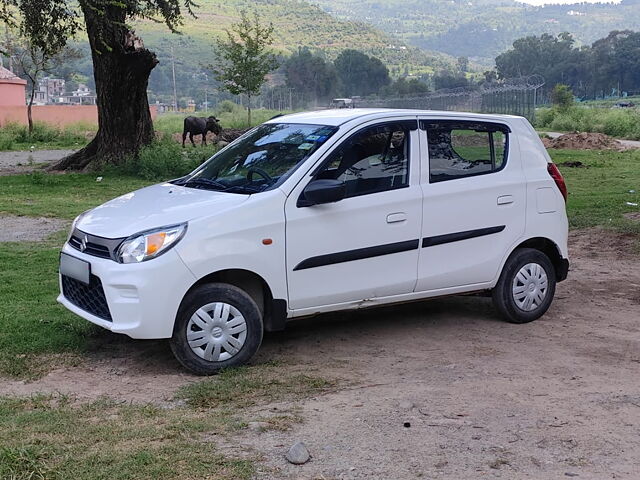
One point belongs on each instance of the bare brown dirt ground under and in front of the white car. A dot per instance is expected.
(440, 389)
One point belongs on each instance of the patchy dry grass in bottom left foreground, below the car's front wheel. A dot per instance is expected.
(50, 437)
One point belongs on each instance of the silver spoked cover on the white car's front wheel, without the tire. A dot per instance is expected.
(216, 332)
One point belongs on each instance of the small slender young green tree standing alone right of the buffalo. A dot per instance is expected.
(246, 60)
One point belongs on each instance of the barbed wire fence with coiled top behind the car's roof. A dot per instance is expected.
(514, 96)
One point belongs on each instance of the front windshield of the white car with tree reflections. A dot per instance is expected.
(259, 160)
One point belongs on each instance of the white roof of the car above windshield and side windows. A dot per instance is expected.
(340, 116)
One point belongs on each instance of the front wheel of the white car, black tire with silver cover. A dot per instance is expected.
(218, 326)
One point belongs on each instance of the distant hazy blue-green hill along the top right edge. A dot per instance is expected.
(482, 29)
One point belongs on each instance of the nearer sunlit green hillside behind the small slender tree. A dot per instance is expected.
(296, 24)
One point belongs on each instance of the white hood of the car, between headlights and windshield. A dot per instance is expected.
(153, 207)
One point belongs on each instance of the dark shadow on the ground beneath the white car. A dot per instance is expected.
(307, 336)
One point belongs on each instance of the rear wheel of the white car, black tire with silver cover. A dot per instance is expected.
(526, 286)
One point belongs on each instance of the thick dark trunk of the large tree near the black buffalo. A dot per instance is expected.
(121, 67)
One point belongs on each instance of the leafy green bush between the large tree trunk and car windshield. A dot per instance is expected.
(166, 159)
